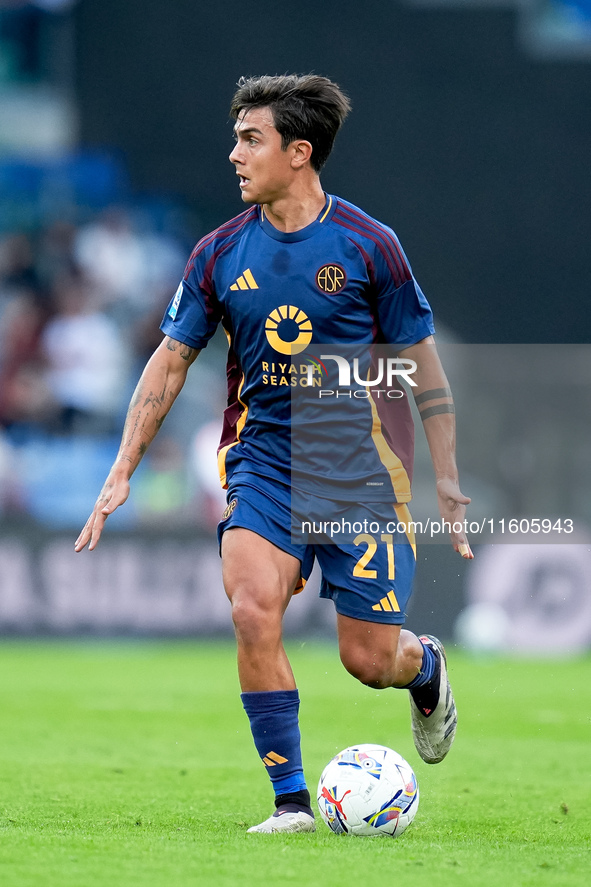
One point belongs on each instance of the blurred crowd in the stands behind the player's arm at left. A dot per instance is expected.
(80, 307)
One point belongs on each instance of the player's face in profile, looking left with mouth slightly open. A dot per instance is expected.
(265, 170)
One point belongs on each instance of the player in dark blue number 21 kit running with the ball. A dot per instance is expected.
(297, 267)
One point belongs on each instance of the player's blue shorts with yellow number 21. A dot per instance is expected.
(367, 570)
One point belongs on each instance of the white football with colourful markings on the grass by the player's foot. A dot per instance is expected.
(368, 790)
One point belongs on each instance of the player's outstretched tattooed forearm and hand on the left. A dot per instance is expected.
(156, 391)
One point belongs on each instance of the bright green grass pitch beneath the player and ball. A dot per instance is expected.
(132, 764)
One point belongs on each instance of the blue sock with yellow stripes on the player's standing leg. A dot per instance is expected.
(273, 719)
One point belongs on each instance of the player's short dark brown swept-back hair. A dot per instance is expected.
(303, 107)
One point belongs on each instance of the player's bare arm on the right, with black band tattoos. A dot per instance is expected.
(434, 400)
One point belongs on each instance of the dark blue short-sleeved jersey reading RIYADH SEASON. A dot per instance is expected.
(343, 279)
